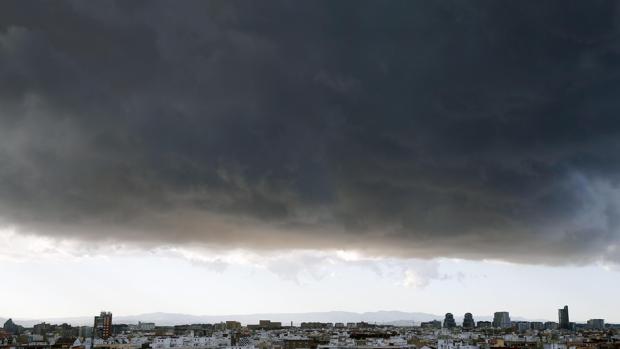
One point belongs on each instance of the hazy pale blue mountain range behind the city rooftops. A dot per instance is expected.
(167, 319)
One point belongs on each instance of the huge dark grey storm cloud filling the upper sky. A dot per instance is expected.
(477, 129)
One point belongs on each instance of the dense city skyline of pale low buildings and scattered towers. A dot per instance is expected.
(501, 332)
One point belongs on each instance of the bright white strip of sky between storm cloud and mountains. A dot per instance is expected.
(46, 279)
